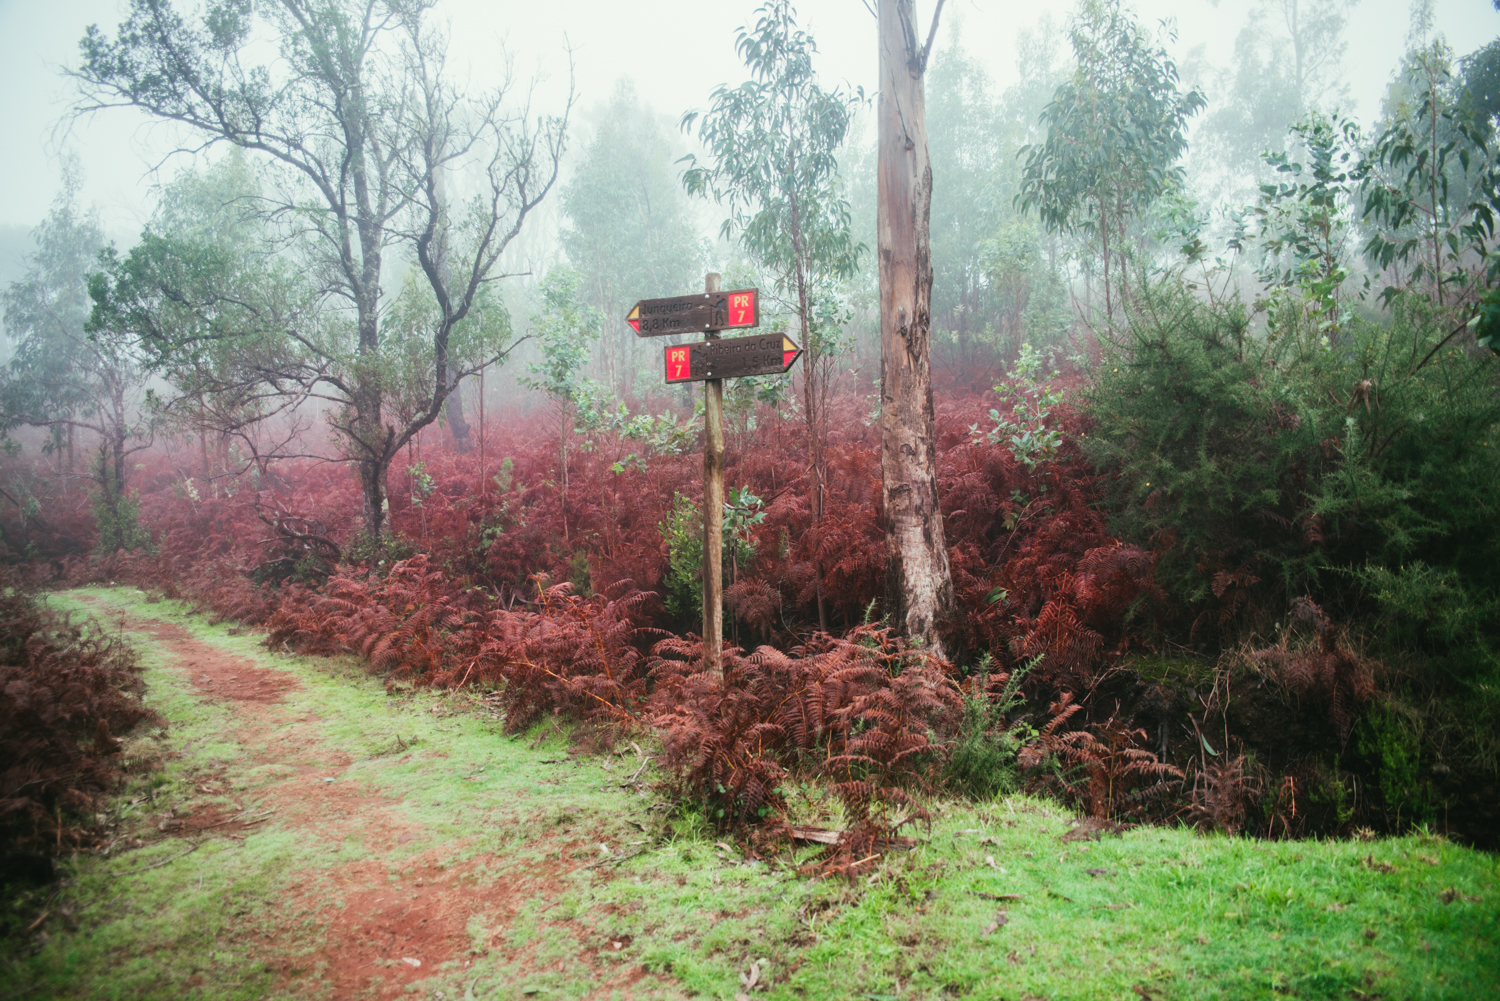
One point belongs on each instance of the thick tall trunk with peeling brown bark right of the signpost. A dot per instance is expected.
(919, 586)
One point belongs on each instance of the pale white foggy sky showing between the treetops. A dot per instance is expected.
(674, 52)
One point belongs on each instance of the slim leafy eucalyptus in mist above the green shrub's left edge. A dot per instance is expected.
(1117, 131)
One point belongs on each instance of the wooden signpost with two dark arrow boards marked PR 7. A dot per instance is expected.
(712, 362)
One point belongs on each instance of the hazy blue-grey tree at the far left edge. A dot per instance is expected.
(67, 379)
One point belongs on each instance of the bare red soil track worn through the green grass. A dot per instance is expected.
(368, 924)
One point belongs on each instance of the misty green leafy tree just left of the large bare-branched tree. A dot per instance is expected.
(200, 296)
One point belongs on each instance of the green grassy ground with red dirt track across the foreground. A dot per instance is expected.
(313, 835)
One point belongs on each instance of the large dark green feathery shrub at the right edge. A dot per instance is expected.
(1270, 463)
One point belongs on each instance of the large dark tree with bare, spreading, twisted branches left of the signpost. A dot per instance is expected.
(359, 127)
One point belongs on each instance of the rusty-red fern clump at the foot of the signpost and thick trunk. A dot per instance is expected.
(865, 711)
